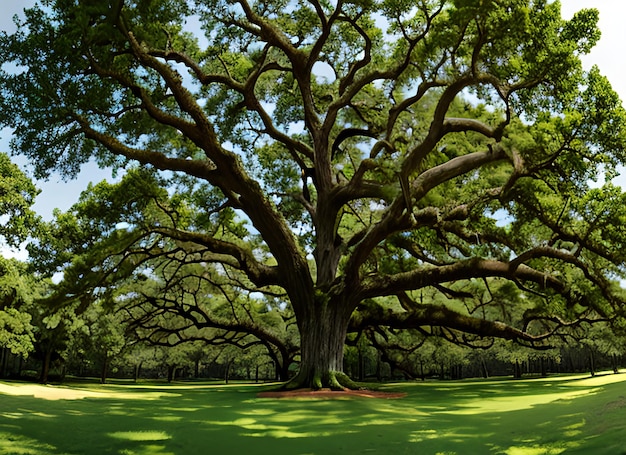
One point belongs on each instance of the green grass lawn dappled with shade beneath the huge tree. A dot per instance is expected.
(562, 415)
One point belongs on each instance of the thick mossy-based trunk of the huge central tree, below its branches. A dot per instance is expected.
(322, 336)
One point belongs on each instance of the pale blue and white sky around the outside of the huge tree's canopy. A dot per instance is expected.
(608, 55)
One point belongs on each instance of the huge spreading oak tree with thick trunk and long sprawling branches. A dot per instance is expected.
(329, 150)
